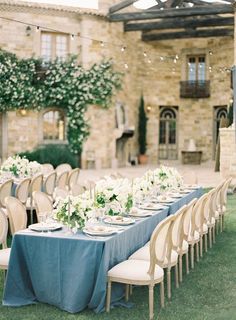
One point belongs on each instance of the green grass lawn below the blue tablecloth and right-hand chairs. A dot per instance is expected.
(207, 293)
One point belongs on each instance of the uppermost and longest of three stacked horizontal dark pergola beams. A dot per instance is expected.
(173, 12)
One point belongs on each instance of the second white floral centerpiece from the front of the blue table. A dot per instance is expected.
(114, 195)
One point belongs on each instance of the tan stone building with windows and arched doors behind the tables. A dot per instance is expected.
(160, 70)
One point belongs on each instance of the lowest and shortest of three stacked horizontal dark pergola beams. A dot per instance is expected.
(188, 34)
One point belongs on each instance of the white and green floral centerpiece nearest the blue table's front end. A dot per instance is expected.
(74, 212)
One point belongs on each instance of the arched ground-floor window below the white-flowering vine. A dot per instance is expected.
(54, 125)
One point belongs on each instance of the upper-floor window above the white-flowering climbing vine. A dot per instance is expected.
(54, 45)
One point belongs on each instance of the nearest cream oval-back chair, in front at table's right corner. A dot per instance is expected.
(142, 272)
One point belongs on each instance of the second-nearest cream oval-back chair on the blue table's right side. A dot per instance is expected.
(171, 259)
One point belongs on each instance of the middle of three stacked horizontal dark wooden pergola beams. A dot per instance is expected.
(173, 23)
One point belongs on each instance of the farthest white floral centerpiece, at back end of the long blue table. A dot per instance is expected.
(168, 178)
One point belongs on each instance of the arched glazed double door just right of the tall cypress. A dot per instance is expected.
(168, 139)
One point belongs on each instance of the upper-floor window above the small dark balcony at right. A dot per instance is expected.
(196, 68)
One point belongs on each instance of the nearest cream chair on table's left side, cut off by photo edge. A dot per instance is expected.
(4, 252)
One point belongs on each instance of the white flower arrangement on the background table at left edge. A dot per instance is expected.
(20, 167)
